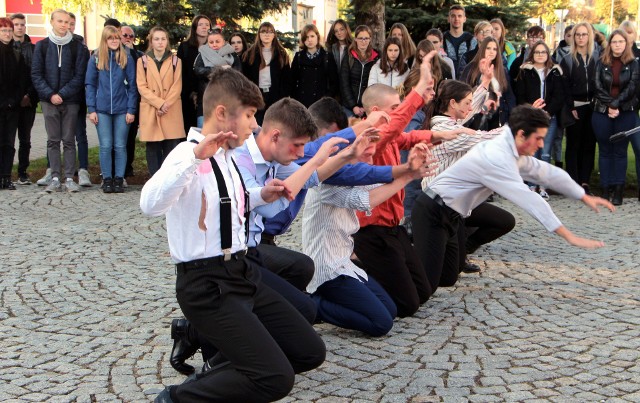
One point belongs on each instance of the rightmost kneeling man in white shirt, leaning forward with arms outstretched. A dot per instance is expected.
(500, 165)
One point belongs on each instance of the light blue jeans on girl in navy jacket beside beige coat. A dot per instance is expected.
(112, 135)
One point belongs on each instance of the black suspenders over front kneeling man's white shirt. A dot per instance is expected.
(225, 207)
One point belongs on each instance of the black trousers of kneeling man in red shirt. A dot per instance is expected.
(388, 256)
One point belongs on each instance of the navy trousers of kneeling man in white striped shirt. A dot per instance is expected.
(352, 304)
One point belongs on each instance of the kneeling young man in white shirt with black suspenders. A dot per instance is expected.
(263, 341)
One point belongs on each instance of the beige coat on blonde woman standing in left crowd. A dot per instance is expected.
(155, 89)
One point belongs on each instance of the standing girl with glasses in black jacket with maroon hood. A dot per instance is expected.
(355, 69)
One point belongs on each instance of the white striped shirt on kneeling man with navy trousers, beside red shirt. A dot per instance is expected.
(328, 222)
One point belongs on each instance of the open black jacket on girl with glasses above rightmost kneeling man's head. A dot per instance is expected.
(527, 88)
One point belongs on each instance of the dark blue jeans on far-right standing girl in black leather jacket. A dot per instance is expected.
(612, 156)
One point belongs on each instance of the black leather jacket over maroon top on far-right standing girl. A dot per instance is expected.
(626, 99)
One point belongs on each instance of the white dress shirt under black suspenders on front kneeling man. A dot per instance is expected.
(177, 189)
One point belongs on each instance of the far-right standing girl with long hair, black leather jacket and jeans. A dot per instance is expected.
(616, 81)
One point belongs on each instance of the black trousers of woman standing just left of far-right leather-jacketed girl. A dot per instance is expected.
(580, 153)
